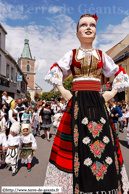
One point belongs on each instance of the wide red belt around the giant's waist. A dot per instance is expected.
(87, 85)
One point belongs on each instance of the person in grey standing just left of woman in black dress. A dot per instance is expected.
(35, 122)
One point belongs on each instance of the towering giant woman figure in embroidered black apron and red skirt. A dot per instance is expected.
(86, 157)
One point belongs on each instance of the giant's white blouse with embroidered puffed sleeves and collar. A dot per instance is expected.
(55, 75)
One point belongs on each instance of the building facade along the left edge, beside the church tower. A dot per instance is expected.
(9, 69)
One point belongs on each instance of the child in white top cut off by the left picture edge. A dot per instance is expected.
(3, 144)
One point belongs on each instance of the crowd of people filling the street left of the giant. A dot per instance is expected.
(20, 121)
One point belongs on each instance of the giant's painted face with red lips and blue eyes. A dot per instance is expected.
(86, 29)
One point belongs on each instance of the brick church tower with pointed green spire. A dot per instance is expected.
(27, 64)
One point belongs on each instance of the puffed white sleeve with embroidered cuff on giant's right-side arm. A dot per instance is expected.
(121, 80)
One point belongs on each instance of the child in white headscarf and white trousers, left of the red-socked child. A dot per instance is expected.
(14, 145)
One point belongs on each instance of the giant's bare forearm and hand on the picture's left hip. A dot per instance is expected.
(66, 94)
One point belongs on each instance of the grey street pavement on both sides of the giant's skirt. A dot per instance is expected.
(39, 164)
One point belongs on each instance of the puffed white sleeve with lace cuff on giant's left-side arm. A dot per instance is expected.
(59, 69)
